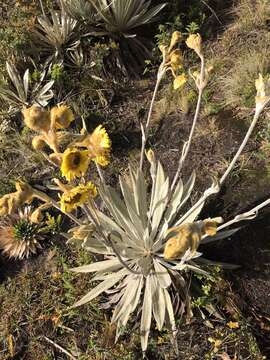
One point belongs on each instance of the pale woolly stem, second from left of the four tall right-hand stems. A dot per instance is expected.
(188, 144)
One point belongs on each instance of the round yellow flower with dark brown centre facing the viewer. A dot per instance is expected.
(74, 163)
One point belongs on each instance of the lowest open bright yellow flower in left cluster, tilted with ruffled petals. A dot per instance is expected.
(77, 196)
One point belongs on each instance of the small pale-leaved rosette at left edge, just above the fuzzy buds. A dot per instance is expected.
(22, 92)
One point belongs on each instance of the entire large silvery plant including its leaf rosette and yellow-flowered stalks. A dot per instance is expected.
(149, 243)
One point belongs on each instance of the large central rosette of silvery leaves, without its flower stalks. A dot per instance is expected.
(138, 225)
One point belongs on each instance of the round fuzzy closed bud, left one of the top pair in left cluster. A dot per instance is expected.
(37, 118)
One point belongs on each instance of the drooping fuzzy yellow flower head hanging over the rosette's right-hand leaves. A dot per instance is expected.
(188, 236)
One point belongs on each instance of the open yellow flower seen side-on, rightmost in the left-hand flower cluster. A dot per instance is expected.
(99, 145)
